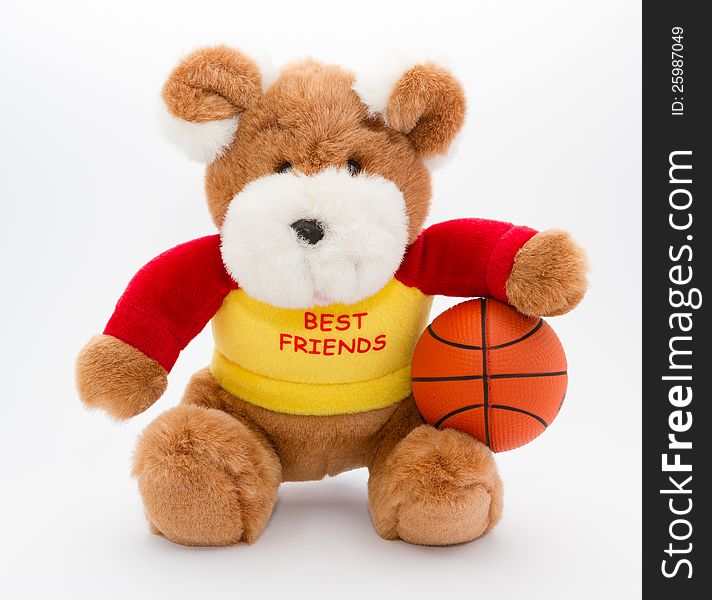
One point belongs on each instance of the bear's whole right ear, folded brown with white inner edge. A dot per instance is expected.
(424, 101)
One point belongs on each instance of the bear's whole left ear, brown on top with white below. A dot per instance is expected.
(204, 96)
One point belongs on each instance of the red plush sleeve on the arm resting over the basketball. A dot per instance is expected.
(465, 257)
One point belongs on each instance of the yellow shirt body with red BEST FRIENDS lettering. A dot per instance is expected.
(322, 361)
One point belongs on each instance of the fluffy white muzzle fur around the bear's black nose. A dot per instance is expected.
(366, 232)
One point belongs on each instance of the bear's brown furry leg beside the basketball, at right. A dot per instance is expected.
(432, 487)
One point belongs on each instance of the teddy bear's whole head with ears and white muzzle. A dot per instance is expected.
(316, 181)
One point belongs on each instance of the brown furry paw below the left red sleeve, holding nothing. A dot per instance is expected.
(117, 377)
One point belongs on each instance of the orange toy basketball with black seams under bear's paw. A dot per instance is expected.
(485, 369)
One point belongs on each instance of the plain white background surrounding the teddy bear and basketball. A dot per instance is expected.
(89, 192)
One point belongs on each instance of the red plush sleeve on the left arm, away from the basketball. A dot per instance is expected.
(169, 301)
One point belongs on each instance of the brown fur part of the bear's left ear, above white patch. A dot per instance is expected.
(212, 83)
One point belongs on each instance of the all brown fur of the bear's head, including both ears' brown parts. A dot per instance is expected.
(311, 118)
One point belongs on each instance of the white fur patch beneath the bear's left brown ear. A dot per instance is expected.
(202, 142)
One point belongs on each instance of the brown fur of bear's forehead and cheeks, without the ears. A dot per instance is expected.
(312, 118)
